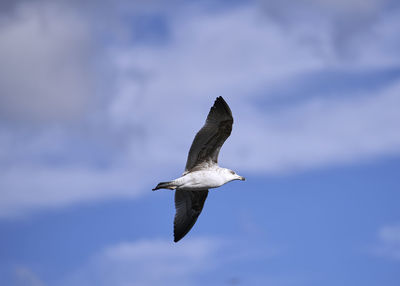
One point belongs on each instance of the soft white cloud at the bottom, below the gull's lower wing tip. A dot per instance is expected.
(162, 262)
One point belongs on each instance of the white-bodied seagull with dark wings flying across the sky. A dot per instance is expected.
(202, 171)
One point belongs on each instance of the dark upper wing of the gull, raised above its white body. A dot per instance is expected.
(211, 137)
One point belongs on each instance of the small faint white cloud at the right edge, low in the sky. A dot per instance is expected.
(389, 242)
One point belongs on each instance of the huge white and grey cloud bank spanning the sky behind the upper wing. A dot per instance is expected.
(160, 95)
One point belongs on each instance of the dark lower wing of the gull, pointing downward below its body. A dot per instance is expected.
(188, 206)
